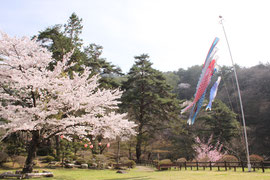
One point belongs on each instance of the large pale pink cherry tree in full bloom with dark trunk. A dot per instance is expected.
(47, 103)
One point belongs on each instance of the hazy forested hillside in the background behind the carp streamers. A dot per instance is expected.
(254, 83)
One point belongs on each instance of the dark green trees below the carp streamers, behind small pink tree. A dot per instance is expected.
(220, 122)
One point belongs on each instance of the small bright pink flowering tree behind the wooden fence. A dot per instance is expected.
(208, 152)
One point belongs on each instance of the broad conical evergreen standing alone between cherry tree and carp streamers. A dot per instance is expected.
(148, 100)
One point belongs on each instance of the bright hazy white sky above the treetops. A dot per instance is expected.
(174, 33)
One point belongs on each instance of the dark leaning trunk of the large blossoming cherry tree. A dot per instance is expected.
(32, 149)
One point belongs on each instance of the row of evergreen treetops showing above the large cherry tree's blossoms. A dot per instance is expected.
(61, 39)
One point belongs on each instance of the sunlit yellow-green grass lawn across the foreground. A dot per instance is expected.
(146, 174)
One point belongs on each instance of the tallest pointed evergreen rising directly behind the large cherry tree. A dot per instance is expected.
(60, 42)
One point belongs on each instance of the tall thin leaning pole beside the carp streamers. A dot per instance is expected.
(239, 95)
